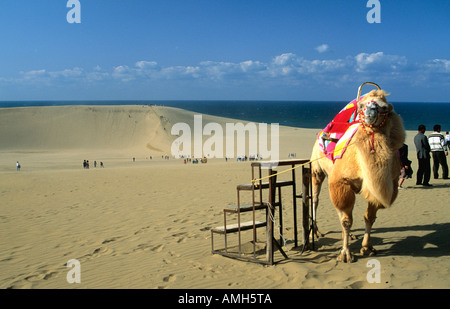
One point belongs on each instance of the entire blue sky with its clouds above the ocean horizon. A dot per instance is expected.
(223, 50)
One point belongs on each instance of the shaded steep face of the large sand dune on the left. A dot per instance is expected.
(82, 127)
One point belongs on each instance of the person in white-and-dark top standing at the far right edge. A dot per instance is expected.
(439, 151)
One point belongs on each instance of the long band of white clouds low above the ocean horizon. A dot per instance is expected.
(287, 70)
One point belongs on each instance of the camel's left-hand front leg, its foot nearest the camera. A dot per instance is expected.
(343, 199)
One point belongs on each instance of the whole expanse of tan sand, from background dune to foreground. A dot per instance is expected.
(146, 223)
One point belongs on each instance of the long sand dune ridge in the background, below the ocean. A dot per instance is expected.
(135, 130)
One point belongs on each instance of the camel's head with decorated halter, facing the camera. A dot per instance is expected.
(374, 109)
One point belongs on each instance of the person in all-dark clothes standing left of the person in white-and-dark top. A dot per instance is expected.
(423, 156)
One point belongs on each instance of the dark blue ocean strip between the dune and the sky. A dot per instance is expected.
(303, 114)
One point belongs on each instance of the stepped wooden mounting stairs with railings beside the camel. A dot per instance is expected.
(258, 214)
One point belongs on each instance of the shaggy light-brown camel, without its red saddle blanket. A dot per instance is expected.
(370, 166)
